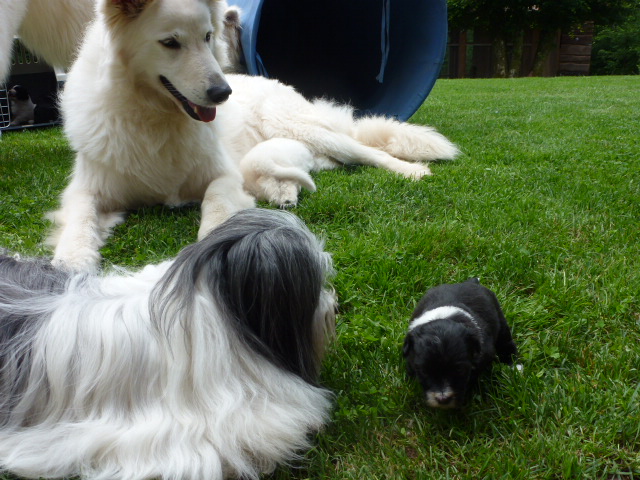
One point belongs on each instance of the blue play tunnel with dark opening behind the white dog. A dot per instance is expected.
(381, 56)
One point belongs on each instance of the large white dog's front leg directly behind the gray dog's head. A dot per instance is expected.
(223, 198)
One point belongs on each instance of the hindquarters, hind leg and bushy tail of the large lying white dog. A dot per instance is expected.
(261, 109)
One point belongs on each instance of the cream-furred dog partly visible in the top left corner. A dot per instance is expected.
(50, 28)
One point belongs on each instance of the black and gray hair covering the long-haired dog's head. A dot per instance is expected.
(267, 270)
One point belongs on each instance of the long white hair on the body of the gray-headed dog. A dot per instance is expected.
(141, 406)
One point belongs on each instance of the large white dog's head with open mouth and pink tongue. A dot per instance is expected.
(174, 46)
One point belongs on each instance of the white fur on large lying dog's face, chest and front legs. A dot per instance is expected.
(135, 145)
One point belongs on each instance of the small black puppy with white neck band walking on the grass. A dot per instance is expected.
(454, 335)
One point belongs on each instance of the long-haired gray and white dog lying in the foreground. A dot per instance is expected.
(203, 367)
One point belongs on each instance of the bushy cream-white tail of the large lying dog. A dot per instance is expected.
(415, 143)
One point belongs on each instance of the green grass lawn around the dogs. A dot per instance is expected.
(543, 206)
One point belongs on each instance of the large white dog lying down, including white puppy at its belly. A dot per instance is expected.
(139, 111)
